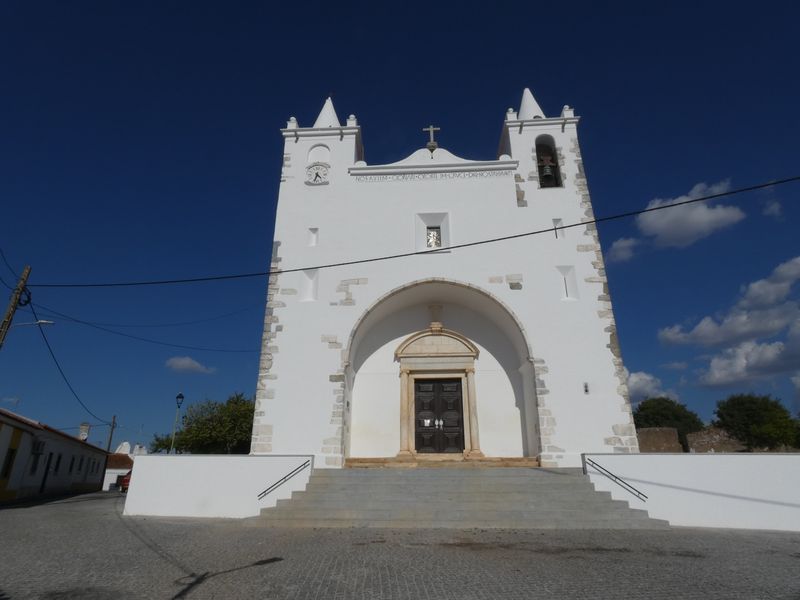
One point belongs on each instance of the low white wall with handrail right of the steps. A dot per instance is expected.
(742, 491)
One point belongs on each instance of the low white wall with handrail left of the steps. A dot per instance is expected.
(210, 485)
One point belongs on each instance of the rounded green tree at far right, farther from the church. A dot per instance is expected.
(756, 421)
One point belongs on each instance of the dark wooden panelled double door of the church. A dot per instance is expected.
(438, 416)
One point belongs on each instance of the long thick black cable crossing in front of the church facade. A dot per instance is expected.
(421, 252)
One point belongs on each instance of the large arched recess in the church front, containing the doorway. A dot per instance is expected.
(439, 367)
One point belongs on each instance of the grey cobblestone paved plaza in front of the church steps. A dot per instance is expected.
(82, 547)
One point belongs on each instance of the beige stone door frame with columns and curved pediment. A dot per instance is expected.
(437, 353)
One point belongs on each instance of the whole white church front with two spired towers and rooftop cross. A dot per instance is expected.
(505, 349)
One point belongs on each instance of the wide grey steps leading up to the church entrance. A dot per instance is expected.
(510, 497)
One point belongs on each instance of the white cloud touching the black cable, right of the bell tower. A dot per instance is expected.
(684, 225)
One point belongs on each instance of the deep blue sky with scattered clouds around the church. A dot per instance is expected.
(140, 141)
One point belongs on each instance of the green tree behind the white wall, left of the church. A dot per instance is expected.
(212, 428)
